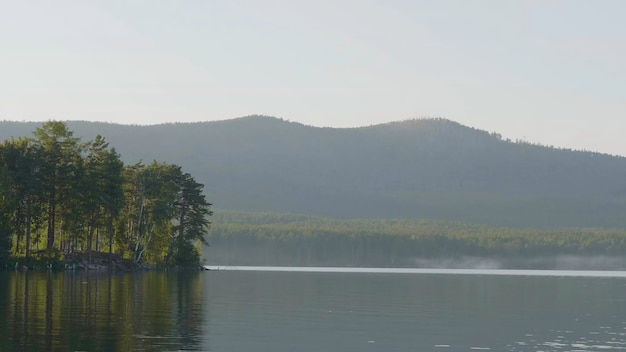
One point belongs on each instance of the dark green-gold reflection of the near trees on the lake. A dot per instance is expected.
(66, 311)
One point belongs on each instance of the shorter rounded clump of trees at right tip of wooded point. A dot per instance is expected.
(165, 212)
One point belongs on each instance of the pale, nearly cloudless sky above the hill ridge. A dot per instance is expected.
(550, 71)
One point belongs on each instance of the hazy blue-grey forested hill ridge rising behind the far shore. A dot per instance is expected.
(429, 168)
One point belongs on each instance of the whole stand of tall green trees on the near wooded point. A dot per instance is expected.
(60, 196)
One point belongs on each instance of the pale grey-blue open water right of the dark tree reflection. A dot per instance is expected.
(321, 311)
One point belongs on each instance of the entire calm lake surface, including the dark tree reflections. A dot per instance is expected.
(257, 310)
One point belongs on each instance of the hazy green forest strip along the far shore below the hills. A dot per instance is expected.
(280, 239)
